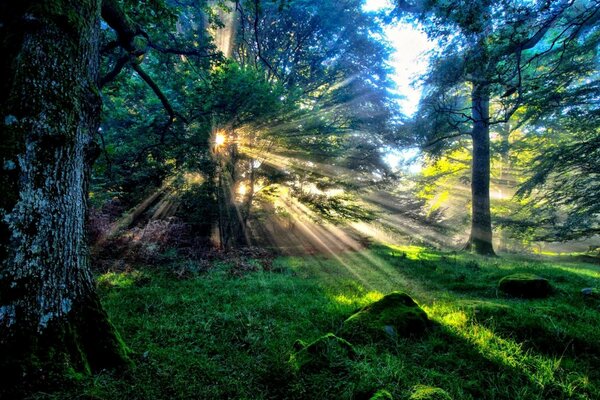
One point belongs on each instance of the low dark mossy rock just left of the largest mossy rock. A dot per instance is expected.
(327, 352)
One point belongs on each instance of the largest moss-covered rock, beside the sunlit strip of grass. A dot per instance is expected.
(395, 315)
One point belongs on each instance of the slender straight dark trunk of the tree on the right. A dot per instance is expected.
(480, 239)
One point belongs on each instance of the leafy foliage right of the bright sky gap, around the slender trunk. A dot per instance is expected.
(537, 64)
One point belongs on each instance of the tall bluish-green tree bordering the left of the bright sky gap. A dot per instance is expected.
(328, 55)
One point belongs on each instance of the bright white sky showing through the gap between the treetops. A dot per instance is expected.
(409, 62)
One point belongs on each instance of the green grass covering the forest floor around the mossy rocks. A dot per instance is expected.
(220, 335)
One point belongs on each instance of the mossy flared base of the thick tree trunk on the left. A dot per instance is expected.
(67, 350)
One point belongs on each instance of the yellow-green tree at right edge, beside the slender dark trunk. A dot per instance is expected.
(561, 193)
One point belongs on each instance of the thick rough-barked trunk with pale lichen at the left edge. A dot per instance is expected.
(50, 316)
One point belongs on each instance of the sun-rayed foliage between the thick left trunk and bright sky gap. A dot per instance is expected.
(288, 90)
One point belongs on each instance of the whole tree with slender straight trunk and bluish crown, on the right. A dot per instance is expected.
(491, 64)
